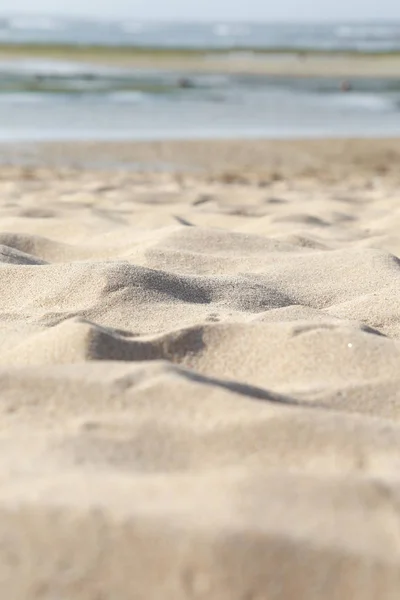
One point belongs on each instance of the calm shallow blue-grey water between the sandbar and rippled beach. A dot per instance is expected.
(48, 99)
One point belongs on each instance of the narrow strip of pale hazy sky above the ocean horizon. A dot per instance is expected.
(244, 10)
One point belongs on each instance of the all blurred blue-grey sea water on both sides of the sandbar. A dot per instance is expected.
(43, 99)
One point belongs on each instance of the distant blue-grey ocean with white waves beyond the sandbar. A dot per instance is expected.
(369, 37)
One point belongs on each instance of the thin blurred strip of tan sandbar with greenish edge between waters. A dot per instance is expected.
(279, 64)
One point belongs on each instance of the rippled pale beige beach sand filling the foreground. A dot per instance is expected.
(200, 372)
